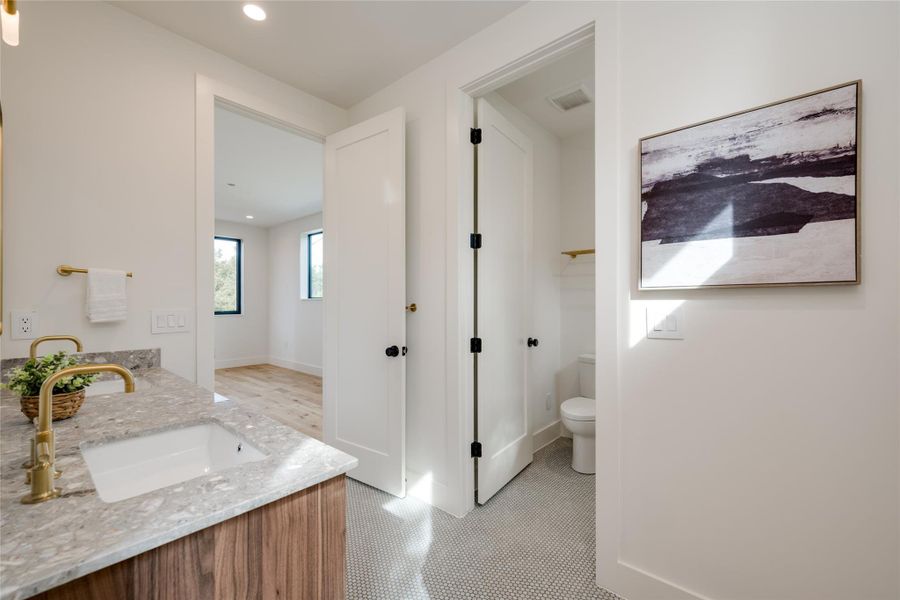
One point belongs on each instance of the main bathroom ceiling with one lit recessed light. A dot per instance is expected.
(339, 51)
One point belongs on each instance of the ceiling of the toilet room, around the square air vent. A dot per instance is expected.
(529, 94)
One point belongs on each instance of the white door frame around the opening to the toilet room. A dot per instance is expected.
(614, 572)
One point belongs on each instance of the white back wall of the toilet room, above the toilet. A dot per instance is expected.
(576, 276)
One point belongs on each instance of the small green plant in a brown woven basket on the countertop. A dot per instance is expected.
(68, 393)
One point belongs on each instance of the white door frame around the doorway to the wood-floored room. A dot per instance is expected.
(209, 92)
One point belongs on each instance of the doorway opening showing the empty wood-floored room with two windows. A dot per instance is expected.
(269, 268)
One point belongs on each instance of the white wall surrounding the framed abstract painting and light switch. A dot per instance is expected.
(778, 414)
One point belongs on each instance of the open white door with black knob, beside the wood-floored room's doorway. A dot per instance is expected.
(364, 395)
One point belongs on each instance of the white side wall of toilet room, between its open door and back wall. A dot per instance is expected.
(544, 360)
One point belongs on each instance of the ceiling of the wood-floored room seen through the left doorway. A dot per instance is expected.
(277, 174)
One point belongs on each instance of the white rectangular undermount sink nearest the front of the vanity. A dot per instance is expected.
(130, 467)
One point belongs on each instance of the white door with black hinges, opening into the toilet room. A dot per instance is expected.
(504, 186)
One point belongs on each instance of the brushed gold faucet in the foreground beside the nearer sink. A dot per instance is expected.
(43, 472)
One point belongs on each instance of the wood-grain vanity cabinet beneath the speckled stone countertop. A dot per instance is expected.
(290, 549)
